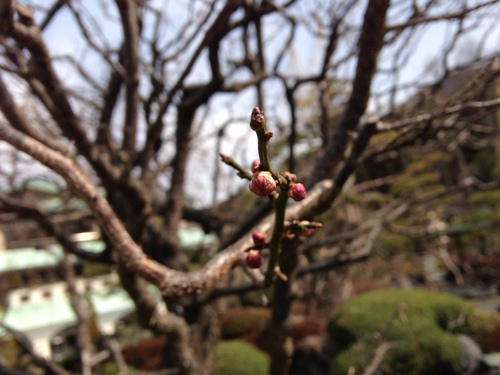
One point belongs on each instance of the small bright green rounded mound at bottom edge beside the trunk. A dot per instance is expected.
(236, 357)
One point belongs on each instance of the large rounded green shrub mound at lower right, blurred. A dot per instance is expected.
(418, 326)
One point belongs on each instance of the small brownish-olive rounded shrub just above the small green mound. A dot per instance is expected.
(243, 321)
